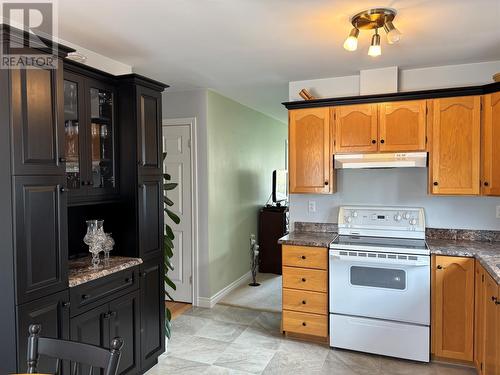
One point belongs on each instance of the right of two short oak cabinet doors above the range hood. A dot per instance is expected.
(402, 126)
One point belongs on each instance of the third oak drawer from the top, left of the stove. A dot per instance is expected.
(305, 301)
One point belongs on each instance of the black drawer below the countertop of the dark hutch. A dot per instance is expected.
(86, 296)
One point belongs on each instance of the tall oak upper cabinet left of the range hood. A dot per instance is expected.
(310, 169)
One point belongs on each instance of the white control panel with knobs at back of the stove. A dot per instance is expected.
(379, 221)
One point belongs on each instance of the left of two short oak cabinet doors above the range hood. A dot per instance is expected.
(356, 128)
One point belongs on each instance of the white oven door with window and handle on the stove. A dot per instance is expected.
(380, 285)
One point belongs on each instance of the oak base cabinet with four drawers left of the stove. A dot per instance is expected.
(305, 291)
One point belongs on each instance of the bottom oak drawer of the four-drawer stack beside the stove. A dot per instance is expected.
(307, 324)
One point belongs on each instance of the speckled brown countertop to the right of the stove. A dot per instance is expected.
(487, 253)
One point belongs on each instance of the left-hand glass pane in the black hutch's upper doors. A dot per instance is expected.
(71, 135)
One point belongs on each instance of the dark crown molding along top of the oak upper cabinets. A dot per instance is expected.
(396, 96)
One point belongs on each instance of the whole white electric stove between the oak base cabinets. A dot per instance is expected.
(380, 282)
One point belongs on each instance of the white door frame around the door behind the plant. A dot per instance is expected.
(191, 122)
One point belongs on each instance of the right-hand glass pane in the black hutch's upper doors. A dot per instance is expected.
(102, 138)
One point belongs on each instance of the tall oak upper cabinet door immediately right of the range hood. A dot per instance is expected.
(455, 146)
